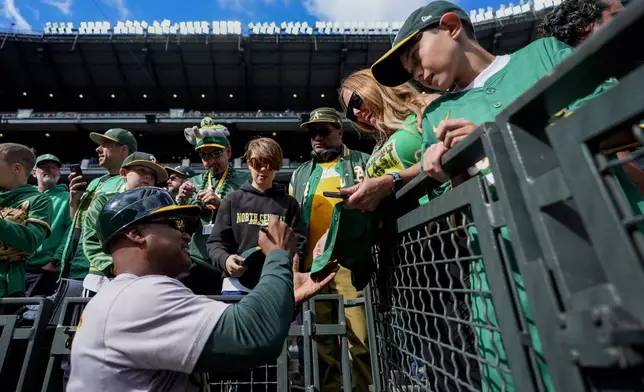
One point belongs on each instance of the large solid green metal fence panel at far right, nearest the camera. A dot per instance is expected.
(577, 237)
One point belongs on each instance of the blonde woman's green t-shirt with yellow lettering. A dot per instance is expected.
(400, 151)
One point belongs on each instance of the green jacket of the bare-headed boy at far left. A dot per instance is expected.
(19, 241)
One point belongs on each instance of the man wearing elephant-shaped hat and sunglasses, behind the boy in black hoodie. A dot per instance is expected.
(207, 191)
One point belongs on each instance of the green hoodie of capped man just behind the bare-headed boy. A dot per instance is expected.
(59, 196)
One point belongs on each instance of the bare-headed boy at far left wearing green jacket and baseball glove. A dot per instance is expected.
(25, 216)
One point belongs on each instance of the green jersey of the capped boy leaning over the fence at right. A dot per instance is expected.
(482, 104)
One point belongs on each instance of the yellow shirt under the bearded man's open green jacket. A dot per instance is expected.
(322, 207)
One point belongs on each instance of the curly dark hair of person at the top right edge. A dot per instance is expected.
(571, 21)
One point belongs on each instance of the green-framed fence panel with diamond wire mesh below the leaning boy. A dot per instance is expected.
(449, 306)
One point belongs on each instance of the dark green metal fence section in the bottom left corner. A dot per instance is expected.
(22, 341)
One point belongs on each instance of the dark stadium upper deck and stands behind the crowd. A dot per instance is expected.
(68, 82)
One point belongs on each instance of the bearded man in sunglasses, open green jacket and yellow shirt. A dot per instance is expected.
(332, 166)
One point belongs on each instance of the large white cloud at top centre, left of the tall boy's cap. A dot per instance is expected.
(362, 10)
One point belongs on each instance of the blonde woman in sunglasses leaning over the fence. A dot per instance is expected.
(389, 114)
